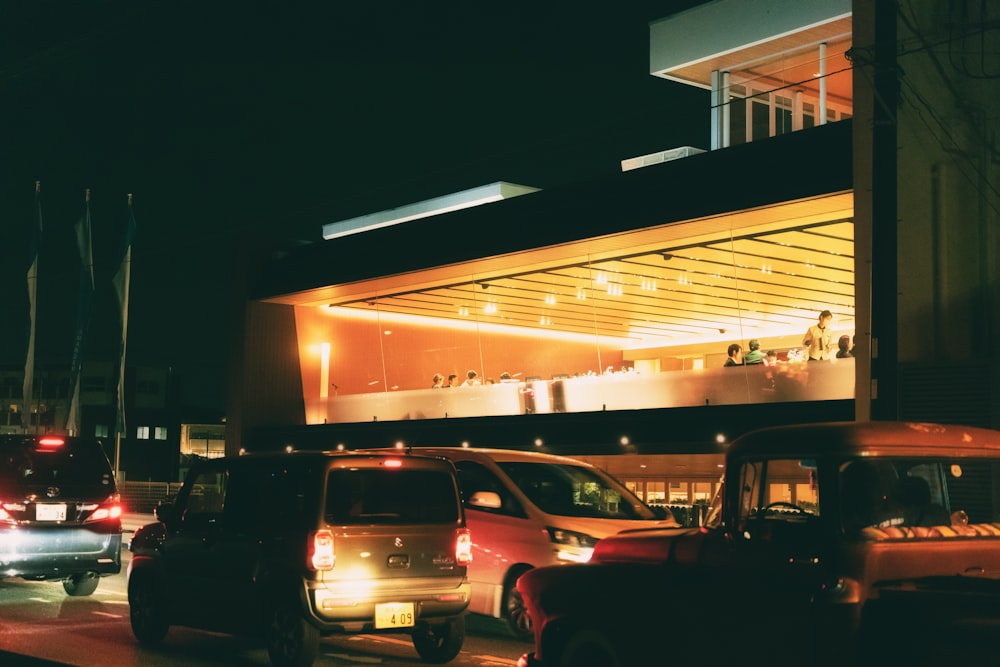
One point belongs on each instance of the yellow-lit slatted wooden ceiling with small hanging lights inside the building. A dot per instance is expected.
(763, 282)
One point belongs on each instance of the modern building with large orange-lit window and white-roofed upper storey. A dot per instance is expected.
(851, 167)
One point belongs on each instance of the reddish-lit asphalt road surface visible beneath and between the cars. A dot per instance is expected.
(40, 626)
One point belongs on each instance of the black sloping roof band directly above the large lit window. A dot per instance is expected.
(785, 168)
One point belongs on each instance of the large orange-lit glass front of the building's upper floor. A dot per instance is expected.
(648, 326)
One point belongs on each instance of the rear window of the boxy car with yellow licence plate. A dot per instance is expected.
(400, 496)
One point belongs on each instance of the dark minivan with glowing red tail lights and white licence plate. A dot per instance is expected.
(60, 512)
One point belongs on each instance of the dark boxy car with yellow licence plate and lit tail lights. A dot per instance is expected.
(289, 547)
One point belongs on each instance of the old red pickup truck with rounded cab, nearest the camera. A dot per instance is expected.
(830, 544)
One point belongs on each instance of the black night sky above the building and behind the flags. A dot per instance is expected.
(268, 120)
